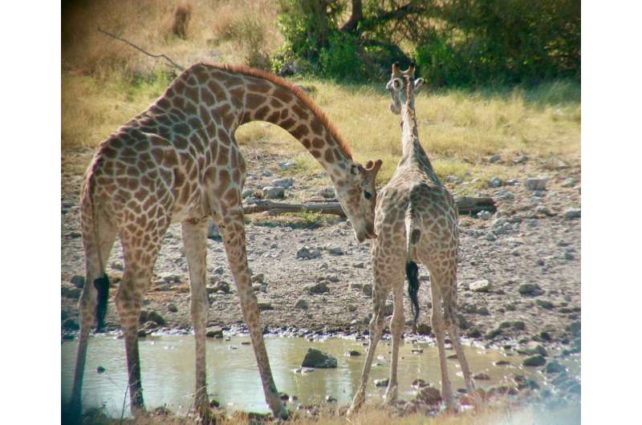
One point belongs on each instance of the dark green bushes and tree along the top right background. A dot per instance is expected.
(454, 42)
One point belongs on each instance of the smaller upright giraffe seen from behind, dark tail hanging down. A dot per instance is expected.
(415, 221)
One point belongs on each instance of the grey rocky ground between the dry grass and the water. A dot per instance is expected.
(519, 269)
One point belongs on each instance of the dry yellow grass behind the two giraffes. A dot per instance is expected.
(106, 82)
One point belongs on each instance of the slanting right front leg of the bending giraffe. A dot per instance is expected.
(233, 232)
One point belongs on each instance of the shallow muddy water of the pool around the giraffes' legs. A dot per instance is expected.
(233, 380)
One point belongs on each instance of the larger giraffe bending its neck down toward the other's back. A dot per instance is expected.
(179, 161)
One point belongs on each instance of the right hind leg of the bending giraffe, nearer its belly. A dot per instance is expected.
(140, 255)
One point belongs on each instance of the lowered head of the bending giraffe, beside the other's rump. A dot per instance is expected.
(357, 195)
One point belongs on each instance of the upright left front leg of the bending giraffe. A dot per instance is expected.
(195, 244)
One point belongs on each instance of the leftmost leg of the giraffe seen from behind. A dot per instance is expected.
(380, 293)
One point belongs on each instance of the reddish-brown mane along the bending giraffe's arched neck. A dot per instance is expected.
(298, 92)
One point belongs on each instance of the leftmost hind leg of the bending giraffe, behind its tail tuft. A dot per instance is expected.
(98, 240)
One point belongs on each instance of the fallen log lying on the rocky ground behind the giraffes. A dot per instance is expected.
(465, 205)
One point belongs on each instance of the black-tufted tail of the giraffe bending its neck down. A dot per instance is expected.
(101, 283)
